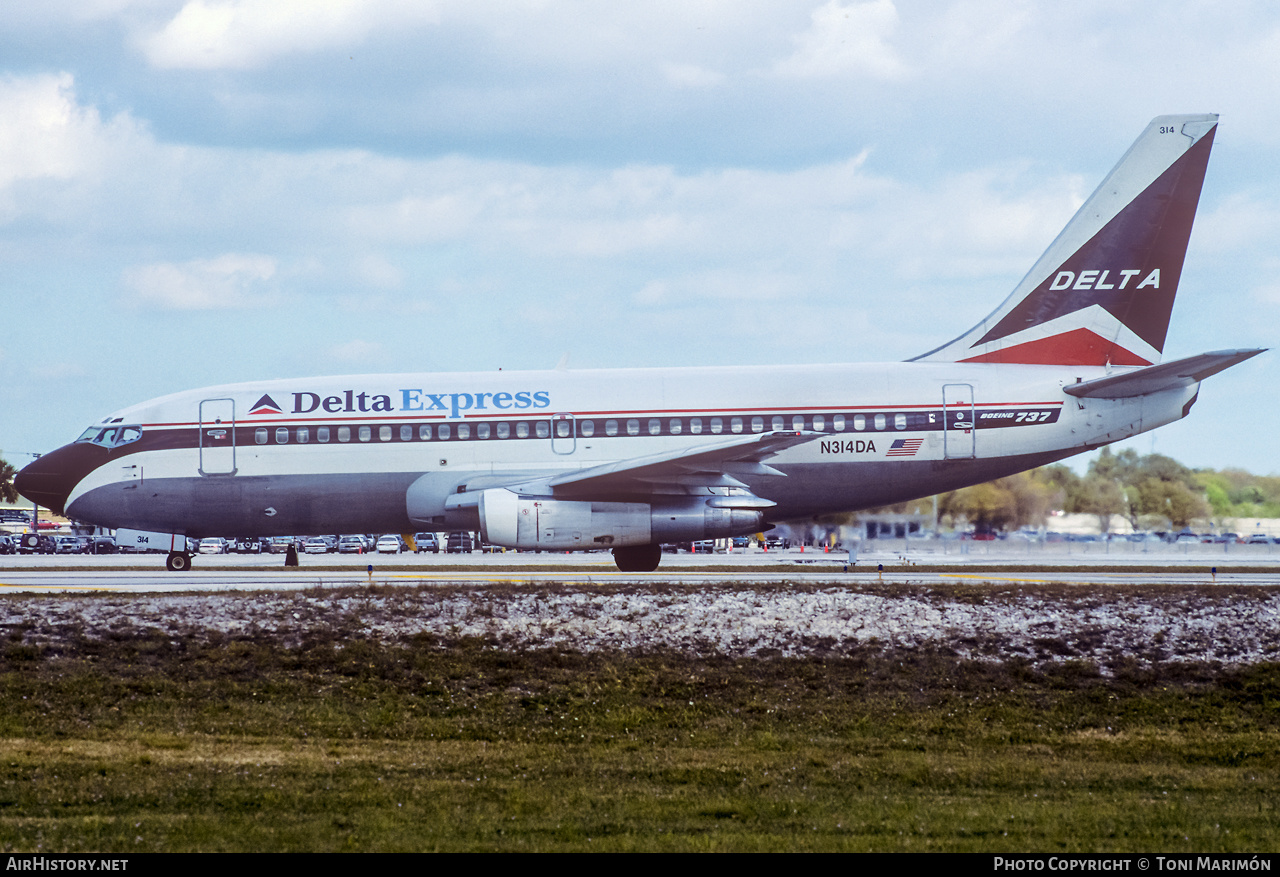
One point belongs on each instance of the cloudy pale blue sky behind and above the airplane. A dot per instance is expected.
(208, 191)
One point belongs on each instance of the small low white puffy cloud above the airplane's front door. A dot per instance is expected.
(231, 281)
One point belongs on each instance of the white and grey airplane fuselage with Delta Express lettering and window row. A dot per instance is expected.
(388, 453)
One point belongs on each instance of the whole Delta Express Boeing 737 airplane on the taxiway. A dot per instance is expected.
(632, 459)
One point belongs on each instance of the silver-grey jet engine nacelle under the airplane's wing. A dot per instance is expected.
(518, 522)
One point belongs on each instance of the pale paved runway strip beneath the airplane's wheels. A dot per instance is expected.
(145, 574)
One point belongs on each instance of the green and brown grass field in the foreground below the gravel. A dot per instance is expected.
(330, 739)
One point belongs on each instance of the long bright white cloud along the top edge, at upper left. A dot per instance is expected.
(249, 34)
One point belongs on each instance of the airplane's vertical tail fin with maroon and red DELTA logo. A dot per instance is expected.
(1104, 290)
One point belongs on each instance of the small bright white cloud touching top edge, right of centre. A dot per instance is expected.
(847, 40)
